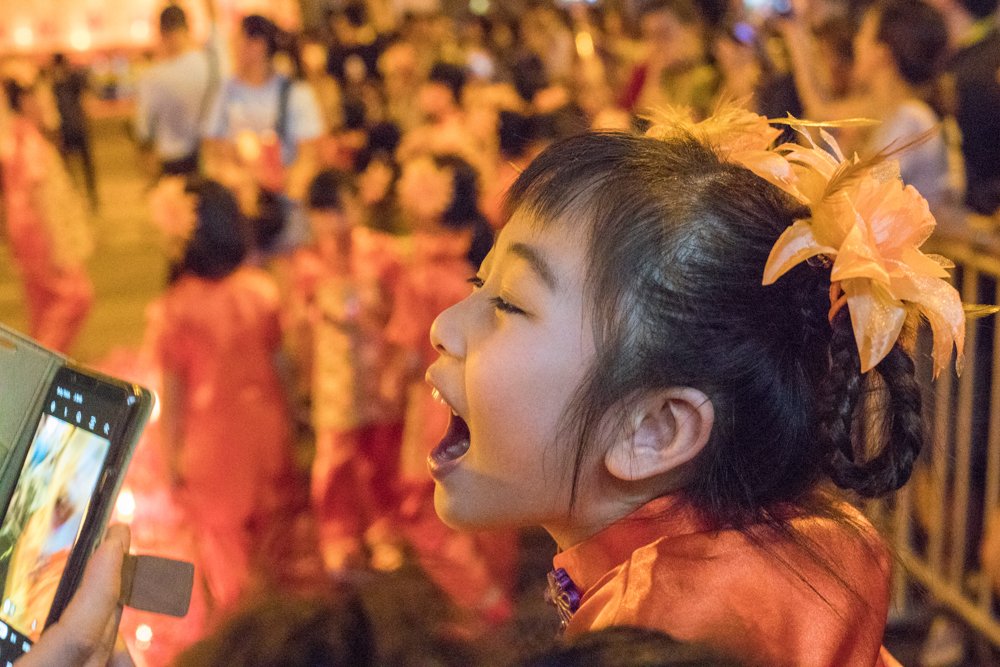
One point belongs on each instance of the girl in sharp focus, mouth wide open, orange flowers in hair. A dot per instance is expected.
(653, 366)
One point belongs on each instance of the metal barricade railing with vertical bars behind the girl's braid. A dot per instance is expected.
(938, 521)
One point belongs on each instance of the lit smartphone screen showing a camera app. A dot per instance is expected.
(47, 510)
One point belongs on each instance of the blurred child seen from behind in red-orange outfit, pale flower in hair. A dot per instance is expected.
(225, 422)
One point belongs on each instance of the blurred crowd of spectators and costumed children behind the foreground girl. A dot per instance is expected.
(323, 194)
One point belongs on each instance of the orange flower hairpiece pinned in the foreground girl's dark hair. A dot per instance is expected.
(862, 219)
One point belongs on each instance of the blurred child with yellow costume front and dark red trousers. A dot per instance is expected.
(341, 300)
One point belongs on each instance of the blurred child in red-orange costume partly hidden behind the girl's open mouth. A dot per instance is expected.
(435, 277)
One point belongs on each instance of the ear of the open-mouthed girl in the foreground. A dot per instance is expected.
(668, 428)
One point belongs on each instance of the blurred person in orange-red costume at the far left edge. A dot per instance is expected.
(46, 224)
